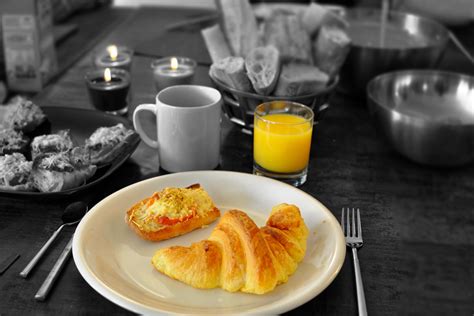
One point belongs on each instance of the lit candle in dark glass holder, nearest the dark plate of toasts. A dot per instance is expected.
(108, 89)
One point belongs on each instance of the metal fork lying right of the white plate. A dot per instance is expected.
(354, 241)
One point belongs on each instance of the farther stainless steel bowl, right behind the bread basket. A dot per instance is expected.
(366, 61)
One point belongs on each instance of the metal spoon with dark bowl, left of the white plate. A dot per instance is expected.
(72, 215)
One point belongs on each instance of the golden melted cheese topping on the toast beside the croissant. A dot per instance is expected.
(174, 204)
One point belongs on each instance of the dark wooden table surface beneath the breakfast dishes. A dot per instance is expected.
(418, 221)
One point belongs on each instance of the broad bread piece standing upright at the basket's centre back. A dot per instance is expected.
(286, 33)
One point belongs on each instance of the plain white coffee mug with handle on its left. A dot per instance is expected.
(188, 125)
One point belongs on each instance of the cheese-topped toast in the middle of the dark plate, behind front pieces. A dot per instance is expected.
(52, 143)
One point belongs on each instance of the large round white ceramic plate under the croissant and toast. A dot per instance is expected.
(116, 262)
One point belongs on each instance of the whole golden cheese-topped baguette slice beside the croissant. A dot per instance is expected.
(141, 221)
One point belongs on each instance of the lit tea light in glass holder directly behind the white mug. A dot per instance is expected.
(171, 71)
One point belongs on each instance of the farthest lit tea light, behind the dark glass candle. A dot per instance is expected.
(114, 57)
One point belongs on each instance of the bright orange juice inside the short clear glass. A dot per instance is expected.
(282, 142)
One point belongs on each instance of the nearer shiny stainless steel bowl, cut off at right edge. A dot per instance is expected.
(428, 116)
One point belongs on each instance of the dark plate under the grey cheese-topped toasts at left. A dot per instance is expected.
(81, 123)
